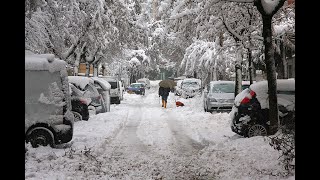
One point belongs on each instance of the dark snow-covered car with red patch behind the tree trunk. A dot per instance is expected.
(249, 114)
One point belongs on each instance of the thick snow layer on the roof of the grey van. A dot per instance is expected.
(43, 62)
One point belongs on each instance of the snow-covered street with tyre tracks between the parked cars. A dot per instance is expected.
(139, 139)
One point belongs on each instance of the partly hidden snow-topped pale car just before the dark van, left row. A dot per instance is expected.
(103, 88)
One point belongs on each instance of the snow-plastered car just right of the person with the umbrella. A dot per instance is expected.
(188, 87)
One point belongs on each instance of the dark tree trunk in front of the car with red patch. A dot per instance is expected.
(271, 73)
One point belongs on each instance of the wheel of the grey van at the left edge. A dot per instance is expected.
(41, 137)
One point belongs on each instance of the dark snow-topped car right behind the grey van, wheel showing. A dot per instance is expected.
(79, 103)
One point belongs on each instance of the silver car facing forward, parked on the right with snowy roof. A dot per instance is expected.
(219, 96)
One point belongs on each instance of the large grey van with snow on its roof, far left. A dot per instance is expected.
(48, 116)
